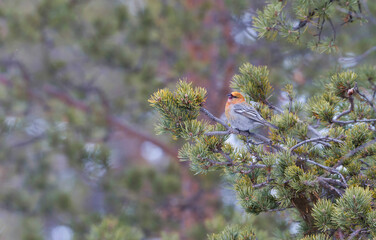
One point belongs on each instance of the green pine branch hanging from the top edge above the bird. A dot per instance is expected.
(316, 18)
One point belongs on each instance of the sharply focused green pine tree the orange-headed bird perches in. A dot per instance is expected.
(320, 161)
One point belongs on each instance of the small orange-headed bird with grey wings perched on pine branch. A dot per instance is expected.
(241, 115)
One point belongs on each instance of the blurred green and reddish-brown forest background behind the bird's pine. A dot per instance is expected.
(79, 158)
